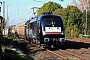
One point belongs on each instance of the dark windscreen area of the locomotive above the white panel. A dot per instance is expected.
(52, 21)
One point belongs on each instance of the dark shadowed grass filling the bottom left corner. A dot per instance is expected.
(13, 55)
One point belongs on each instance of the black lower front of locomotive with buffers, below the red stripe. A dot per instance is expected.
(53, 42)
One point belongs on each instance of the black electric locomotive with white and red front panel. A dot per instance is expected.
(46, 30)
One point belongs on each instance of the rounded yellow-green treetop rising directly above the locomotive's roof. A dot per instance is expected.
(48, 7)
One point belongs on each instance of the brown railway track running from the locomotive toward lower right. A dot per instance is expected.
(65, 55)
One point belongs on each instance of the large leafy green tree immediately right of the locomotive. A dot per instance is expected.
(72, 18)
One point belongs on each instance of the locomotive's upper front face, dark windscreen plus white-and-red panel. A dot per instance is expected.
(52, 24)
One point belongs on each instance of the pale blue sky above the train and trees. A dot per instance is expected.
(20, 10)
